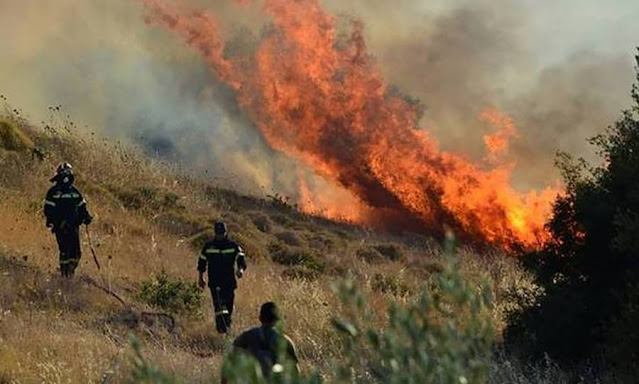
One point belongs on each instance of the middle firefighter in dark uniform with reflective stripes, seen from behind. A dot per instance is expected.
(221, 255)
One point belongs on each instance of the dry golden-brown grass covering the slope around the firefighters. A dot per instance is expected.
(148, 220)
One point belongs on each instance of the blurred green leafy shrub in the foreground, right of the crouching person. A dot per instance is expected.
(443, 336)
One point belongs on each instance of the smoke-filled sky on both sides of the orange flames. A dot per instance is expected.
(561, 69)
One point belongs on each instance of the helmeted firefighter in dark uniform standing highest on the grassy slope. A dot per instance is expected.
(65, 210)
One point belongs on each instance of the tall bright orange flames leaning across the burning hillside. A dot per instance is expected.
(321, 99)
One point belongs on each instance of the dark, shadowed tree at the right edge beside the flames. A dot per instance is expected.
(589, 268)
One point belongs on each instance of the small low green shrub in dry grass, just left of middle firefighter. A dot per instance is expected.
(171, 294)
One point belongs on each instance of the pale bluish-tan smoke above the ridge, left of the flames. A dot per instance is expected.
(109, 71)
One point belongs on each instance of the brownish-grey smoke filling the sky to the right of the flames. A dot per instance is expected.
(561, 70)
